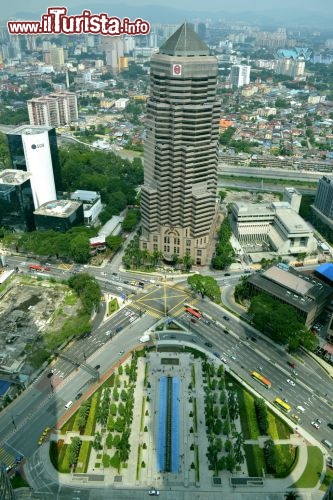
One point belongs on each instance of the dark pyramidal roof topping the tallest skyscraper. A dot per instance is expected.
(184, 42)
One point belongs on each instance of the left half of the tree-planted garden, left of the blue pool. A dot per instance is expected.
(101, 426)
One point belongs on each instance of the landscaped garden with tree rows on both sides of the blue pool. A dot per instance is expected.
(97, 436)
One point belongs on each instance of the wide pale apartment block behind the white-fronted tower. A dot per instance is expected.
(54, 109)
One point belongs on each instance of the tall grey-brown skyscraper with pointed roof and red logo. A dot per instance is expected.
(178, 199)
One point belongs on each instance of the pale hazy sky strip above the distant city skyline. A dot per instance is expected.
(9, 8)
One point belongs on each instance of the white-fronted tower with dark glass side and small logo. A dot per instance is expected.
(34, 149)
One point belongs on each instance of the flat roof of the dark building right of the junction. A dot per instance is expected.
(292, 287)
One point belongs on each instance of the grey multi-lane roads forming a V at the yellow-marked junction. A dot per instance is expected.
(44, 401)
